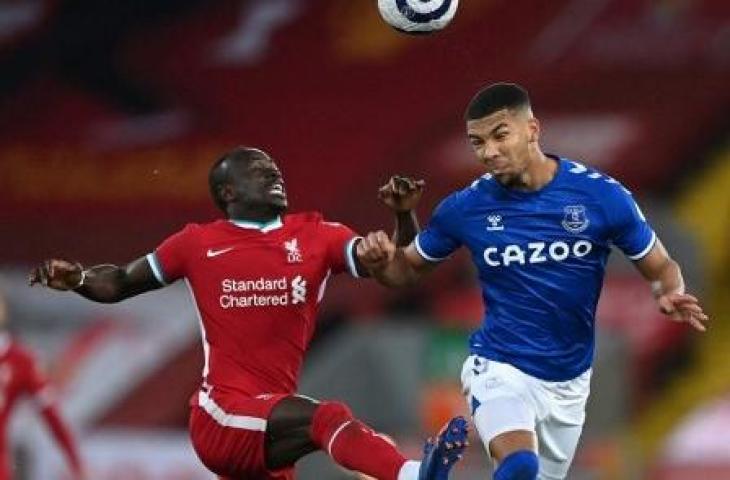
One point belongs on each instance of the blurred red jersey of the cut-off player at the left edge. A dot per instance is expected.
(19, 376)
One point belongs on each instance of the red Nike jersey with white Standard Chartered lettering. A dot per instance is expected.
(257, 289)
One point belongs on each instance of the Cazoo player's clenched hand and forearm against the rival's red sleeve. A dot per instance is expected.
(390, 265)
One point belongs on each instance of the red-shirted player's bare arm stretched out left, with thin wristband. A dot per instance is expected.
(101, 283)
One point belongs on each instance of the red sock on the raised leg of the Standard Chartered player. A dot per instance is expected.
(354, 445)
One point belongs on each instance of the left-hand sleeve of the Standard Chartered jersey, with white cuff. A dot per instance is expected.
(169, 261)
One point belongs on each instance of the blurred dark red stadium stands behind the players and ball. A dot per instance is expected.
(112, 111)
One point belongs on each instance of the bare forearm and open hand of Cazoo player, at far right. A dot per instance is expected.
(665, 276)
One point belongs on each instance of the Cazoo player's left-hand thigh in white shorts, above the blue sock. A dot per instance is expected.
(502, 409)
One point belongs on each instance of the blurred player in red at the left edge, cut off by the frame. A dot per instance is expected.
(20, 376)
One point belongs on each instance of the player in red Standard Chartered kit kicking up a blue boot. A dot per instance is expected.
(257, 278)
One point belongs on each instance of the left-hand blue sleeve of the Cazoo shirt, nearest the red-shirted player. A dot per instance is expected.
(440, 238)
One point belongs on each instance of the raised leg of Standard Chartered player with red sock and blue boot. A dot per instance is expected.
(298, 426)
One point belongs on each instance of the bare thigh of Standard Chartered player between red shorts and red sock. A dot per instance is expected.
(288, 436)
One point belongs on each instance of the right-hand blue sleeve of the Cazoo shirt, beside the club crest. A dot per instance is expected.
(630, 231)
